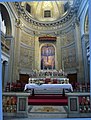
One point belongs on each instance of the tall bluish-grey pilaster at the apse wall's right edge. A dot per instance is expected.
(77, 37)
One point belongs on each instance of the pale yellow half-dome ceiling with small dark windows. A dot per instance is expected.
(46, 10)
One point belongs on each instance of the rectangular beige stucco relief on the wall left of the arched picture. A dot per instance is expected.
(25, 58)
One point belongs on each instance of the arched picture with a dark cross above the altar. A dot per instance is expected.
(47, 57)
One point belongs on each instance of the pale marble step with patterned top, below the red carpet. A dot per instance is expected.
(47, 112)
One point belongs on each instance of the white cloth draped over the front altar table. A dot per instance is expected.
(48, 86)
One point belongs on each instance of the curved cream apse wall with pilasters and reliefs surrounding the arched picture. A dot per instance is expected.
(25, 46)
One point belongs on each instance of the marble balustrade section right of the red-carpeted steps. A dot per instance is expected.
(79, 105)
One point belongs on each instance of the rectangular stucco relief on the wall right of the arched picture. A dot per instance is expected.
(69, 57)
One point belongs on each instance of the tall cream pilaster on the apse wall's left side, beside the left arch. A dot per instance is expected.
(16, 49)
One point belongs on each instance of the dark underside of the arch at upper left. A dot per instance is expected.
(6, 19)
